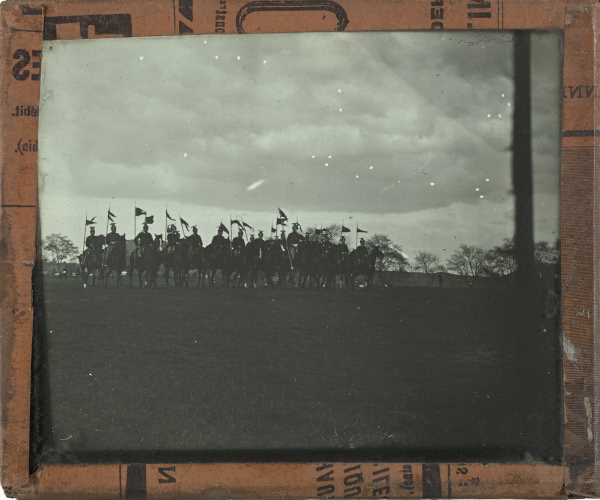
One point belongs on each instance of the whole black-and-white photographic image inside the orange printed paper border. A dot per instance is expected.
(298, 247)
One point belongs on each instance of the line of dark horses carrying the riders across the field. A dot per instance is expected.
(314, 265)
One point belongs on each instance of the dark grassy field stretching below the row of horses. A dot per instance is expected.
(396, 373)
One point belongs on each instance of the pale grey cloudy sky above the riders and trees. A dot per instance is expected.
(406, 134)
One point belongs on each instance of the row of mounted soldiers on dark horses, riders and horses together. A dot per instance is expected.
(317, 262)
